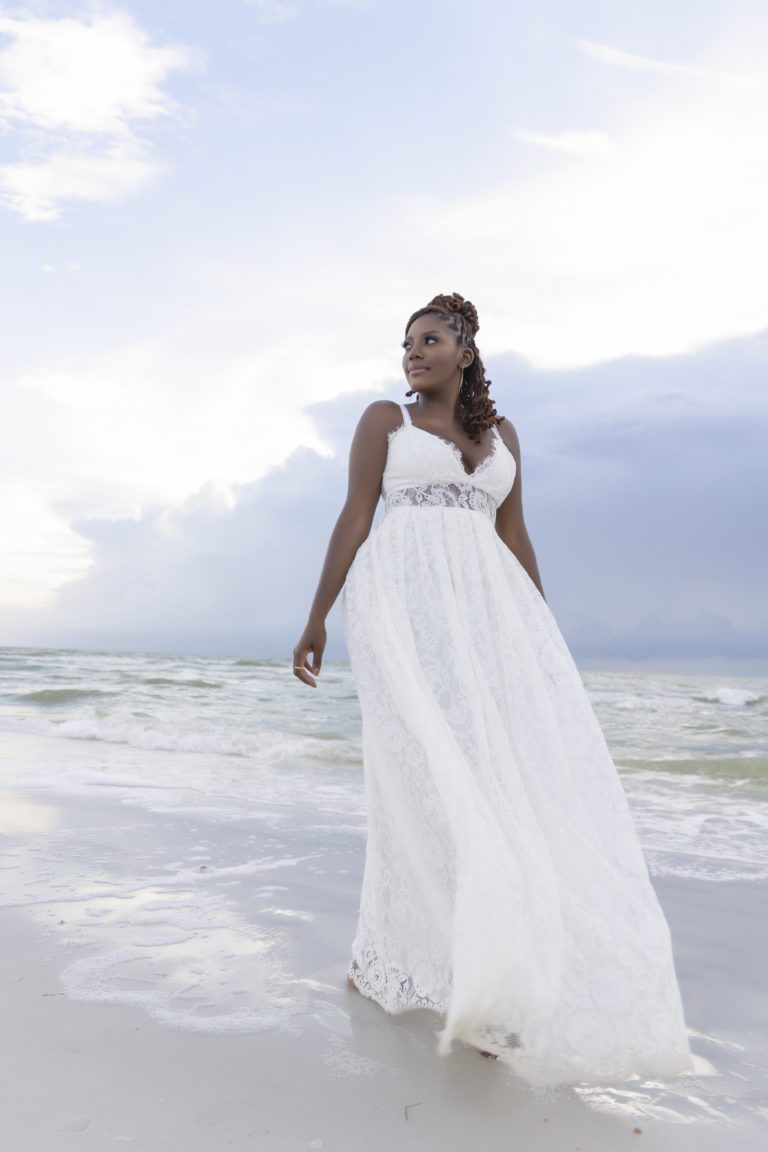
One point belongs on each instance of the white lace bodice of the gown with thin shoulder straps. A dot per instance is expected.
(425, 469)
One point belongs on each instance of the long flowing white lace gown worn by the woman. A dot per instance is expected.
(505, 885)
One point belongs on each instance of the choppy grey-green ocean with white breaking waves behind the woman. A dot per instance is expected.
(224, 738)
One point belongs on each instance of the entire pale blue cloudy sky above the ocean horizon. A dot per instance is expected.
(216, 221)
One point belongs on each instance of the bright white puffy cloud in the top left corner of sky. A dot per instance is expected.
(73, 95)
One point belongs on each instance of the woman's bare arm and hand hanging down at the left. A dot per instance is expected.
(368, 458)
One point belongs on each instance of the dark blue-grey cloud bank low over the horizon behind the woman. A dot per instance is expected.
(645, 482)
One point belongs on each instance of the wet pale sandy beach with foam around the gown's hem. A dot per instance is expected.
(98, 1054)
